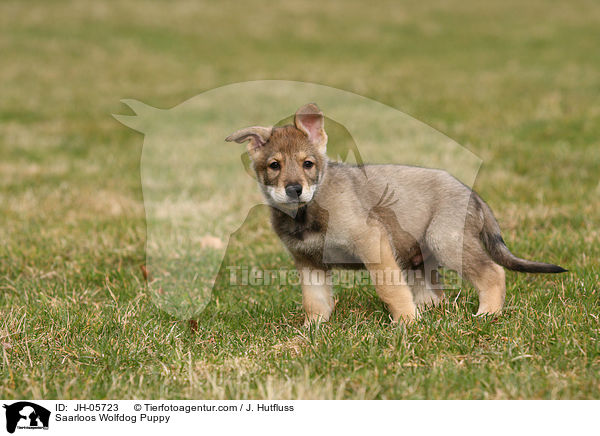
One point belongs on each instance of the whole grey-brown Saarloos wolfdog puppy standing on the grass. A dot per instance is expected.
(391, 218)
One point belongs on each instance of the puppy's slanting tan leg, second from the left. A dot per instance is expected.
(377, 254)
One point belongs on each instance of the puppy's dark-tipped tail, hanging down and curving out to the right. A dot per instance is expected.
(499, 252)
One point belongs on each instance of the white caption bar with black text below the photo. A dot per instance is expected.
(150, 417)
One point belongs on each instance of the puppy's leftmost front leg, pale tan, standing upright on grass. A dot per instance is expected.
(317, 294)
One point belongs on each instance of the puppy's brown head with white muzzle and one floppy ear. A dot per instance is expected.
(289, 161)
